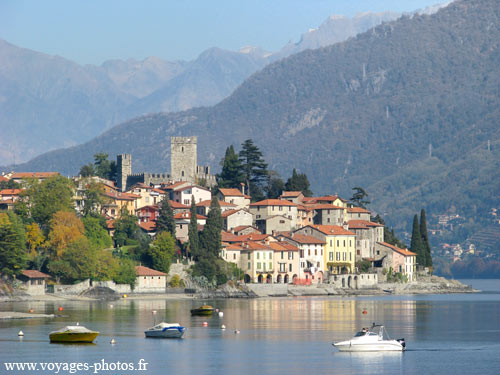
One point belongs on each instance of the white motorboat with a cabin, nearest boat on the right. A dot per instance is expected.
(370, 340)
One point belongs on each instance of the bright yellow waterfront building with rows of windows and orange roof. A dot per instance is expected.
(340, 246)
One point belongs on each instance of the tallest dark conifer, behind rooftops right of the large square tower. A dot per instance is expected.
(254, 169)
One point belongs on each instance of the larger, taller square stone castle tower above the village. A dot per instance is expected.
(183, 158)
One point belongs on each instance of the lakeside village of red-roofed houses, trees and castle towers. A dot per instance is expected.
(292, 239)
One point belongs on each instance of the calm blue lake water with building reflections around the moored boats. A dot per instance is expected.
(445, 334)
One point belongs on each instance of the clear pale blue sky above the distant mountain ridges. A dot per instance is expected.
(92, 31)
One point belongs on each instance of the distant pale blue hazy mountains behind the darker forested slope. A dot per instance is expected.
(48, 102)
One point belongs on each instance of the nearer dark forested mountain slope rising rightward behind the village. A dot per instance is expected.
(409, 110)
